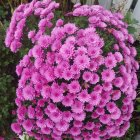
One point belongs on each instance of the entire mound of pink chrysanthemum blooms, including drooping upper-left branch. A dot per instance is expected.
(69, 87)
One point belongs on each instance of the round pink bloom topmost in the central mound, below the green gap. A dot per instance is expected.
(70, 28)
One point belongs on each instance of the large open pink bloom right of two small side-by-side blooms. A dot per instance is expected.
(108, 75)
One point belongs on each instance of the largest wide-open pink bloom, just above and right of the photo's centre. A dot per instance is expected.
(82, 61)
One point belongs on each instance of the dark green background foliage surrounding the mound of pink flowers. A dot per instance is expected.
(8, 62)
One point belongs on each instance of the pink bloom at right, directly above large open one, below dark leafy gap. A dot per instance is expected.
(110, 61)
